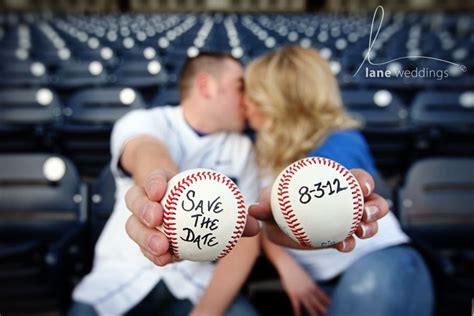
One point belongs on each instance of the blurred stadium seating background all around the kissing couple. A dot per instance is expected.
(70, 69)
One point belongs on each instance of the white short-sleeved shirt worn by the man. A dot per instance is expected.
(122, 276)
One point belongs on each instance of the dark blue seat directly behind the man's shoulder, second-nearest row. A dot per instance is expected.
(89, 118)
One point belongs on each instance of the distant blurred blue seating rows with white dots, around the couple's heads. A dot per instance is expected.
(71, 51)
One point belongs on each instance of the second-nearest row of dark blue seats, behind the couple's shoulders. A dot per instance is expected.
(36, 119)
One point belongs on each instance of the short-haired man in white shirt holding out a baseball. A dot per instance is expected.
(202, 132)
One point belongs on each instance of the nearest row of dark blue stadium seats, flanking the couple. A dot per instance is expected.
(50, 221)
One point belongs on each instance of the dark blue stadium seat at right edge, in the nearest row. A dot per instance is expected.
(436, 201)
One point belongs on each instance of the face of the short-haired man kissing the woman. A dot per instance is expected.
(229, 96)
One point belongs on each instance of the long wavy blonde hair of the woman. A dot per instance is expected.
(298, 95)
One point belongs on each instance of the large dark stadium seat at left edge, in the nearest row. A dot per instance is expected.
(42, 214)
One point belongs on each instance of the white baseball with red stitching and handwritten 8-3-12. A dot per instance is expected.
(317, 202)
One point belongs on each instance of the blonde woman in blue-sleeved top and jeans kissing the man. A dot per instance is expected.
(293, 101)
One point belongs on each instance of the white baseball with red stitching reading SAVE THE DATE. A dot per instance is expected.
(204, 215)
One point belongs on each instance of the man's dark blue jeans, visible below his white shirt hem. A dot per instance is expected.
(160, 301)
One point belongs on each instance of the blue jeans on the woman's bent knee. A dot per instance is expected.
(390, 281)
